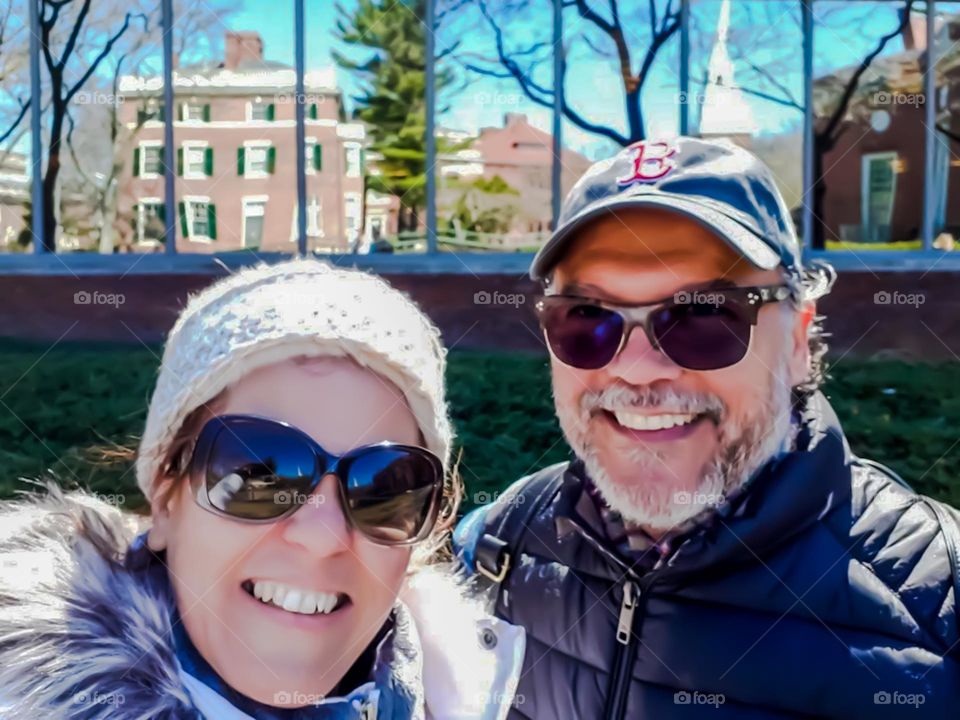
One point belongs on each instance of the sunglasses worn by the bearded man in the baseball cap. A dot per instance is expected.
(697, 330)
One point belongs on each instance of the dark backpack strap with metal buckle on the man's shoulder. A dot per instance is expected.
(502, 542)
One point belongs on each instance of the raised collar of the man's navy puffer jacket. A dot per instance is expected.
(785, 497)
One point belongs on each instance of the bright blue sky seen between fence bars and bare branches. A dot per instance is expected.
(844, 35)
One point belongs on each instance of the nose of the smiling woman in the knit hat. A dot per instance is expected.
(320, 525)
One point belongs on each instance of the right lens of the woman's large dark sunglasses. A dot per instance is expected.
(391, 493)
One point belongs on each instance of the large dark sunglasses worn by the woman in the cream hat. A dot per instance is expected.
(259, 470)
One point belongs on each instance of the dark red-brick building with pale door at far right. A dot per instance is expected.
(874, 176)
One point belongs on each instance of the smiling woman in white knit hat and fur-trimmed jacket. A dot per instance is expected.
(295, 457)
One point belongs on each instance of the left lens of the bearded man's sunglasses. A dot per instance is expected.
(581, 335)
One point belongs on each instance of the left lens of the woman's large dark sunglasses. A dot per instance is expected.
(258, 471)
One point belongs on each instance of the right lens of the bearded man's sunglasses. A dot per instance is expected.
(702, 336)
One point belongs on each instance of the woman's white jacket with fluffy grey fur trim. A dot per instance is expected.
(81, 631)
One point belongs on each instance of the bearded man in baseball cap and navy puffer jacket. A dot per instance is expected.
(715, 549)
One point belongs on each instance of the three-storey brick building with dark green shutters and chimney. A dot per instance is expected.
(235, 156)
